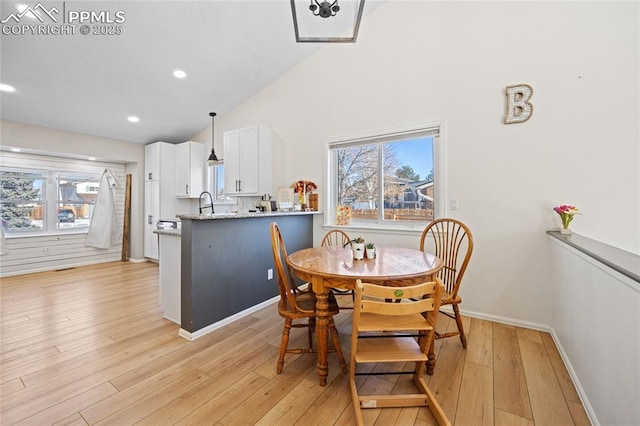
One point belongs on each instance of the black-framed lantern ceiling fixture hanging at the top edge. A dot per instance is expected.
(310, 30)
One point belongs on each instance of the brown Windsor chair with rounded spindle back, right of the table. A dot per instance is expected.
(453, 244)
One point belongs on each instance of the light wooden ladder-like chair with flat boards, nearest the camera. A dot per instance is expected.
(386, 333)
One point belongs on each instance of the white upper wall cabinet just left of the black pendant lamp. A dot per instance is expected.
(189, 163)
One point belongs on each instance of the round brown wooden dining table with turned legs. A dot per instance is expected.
(334, 267)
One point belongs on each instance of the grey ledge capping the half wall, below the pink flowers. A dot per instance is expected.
(625, 262)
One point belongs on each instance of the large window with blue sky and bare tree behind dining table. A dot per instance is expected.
(387, 180)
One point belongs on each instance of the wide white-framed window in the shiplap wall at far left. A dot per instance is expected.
(29, 205)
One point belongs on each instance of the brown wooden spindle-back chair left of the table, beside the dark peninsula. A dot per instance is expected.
(298, 304)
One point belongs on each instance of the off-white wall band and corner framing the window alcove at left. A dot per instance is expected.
(43, 140)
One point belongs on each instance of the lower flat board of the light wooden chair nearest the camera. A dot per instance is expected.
(389, 349)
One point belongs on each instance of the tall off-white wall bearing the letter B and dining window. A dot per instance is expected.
(419, 62)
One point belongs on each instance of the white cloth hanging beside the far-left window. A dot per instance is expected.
(104, 230)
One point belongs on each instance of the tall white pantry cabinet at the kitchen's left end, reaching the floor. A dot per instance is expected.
(160, 201)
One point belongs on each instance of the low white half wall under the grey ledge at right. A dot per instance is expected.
(595, 323)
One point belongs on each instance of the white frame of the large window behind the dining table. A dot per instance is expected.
(434, 129)
